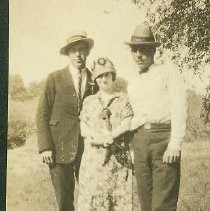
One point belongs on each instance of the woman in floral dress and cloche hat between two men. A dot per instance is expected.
(105, 181)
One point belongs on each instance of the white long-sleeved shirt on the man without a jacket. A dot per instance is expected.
(159, 96)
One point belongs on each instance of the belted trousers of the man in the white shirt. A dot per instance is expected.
(157, 182)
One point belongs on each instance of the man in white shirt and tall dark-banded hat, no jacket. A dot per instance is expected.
(158, 99)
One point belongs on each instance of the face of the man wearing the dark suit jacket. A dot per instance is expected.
(78, 53)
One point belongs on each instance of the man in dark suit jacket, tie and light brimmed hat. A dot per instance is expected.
(58, 129)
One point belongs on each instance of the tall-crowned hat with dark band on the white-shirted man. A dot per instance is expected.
(143, 36)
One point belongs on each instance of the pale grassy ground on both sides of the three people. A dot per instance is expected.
(29, 185)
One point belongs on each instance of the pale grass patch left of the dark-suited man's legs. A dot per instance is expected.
(28, 180)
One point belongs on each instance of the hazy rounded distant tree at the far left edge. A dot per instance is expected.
(17, 90)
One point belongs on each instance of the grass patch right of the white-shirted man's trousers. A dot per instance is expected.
(195, 177)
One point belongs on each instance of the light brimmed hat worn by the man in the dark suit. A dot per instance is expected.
(76, 36)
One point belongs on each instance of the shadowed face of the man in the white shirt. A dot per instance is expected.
(143, 56)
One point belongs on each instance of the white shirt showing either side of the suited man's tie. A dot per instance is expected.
(74, 72)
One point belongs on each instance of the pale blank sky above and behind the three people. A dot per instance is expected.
(38, 29)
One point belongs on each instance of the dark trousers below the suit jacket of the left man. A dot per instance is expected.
(63, 181)
